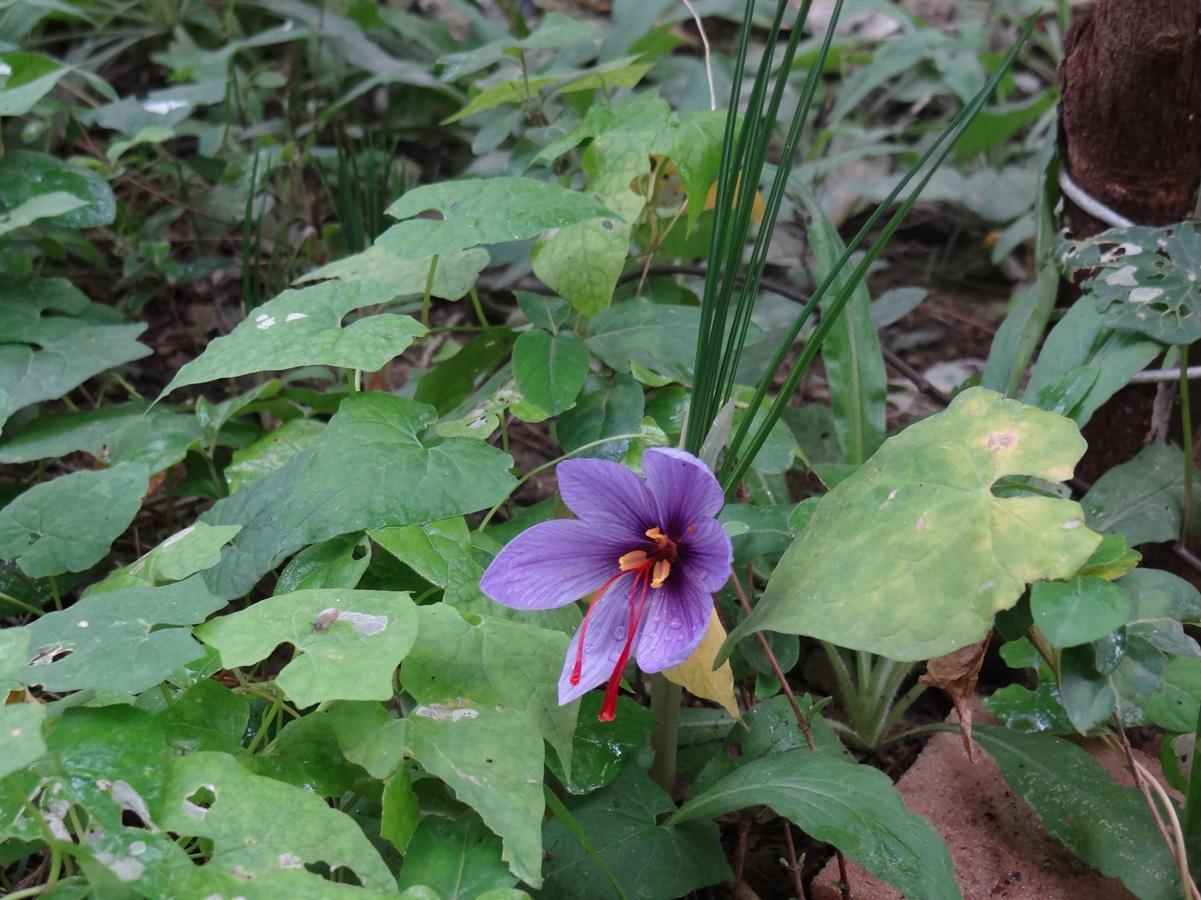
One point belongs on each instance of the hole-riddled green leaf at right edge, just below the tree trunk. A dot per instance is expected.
(1146, 279)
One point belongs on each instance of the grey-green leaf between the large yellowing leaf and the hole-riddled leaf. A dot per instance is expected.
(1082, 339)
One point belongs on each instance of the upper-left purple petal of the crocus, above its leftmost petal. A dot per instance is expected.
(606, 493)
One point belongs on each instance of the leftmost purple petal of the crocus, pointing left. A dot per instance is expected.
(553, 564)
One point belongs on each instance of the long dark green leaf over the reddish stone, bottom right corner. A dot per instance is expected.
(1106, 825)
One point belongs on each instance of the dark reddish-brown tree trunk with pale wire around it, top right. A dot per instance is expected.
(1131, 115)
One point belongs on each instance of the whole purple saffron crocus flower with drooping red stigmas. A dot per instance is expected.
(650, 555)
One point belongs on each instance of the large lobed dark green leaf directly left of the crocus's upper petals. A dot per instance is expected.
(369, 470)
